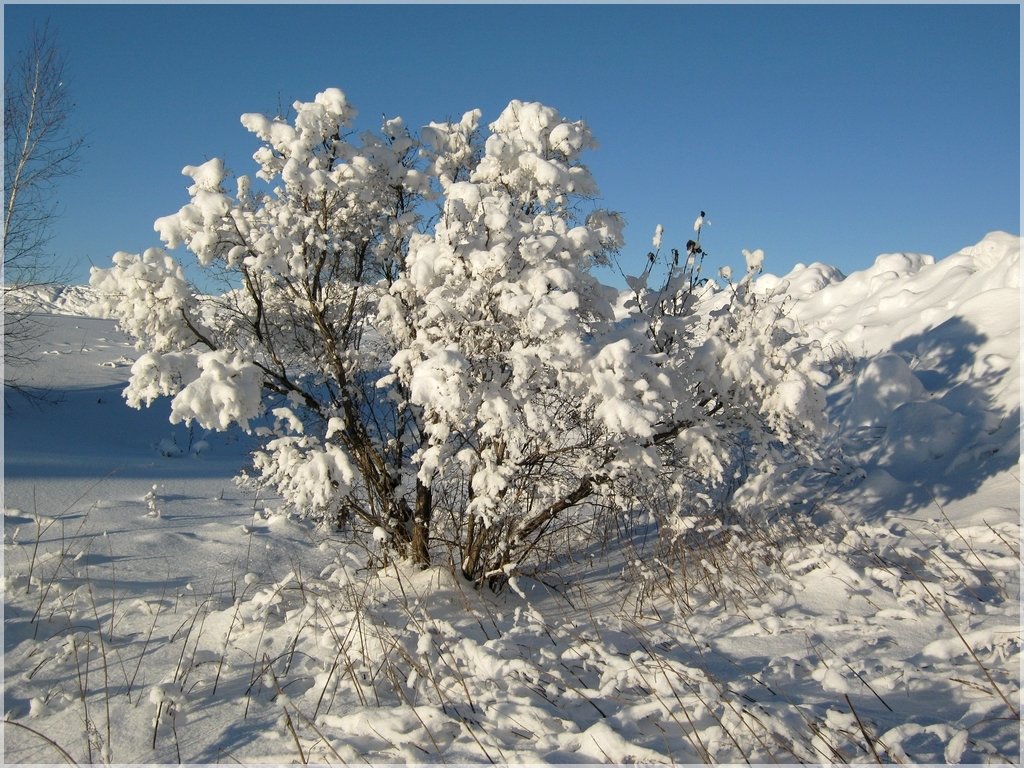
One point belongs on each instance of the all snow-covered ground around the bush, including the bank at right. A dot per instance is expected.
(154, 613)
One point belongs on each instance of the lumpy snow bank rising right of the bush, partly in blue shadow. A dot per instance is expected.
(932, 409)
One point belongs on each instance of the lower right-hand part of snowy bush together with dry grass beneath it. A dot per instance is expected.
(738, 434)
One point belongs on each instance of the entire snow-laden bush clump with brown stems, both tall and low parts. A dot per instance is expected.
(413, 326)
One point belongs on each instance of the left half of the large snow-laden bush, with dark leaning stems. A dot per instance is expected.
(312, 246)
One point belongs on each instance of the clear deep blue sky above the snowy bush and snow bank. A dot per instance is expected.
(819, 134)
